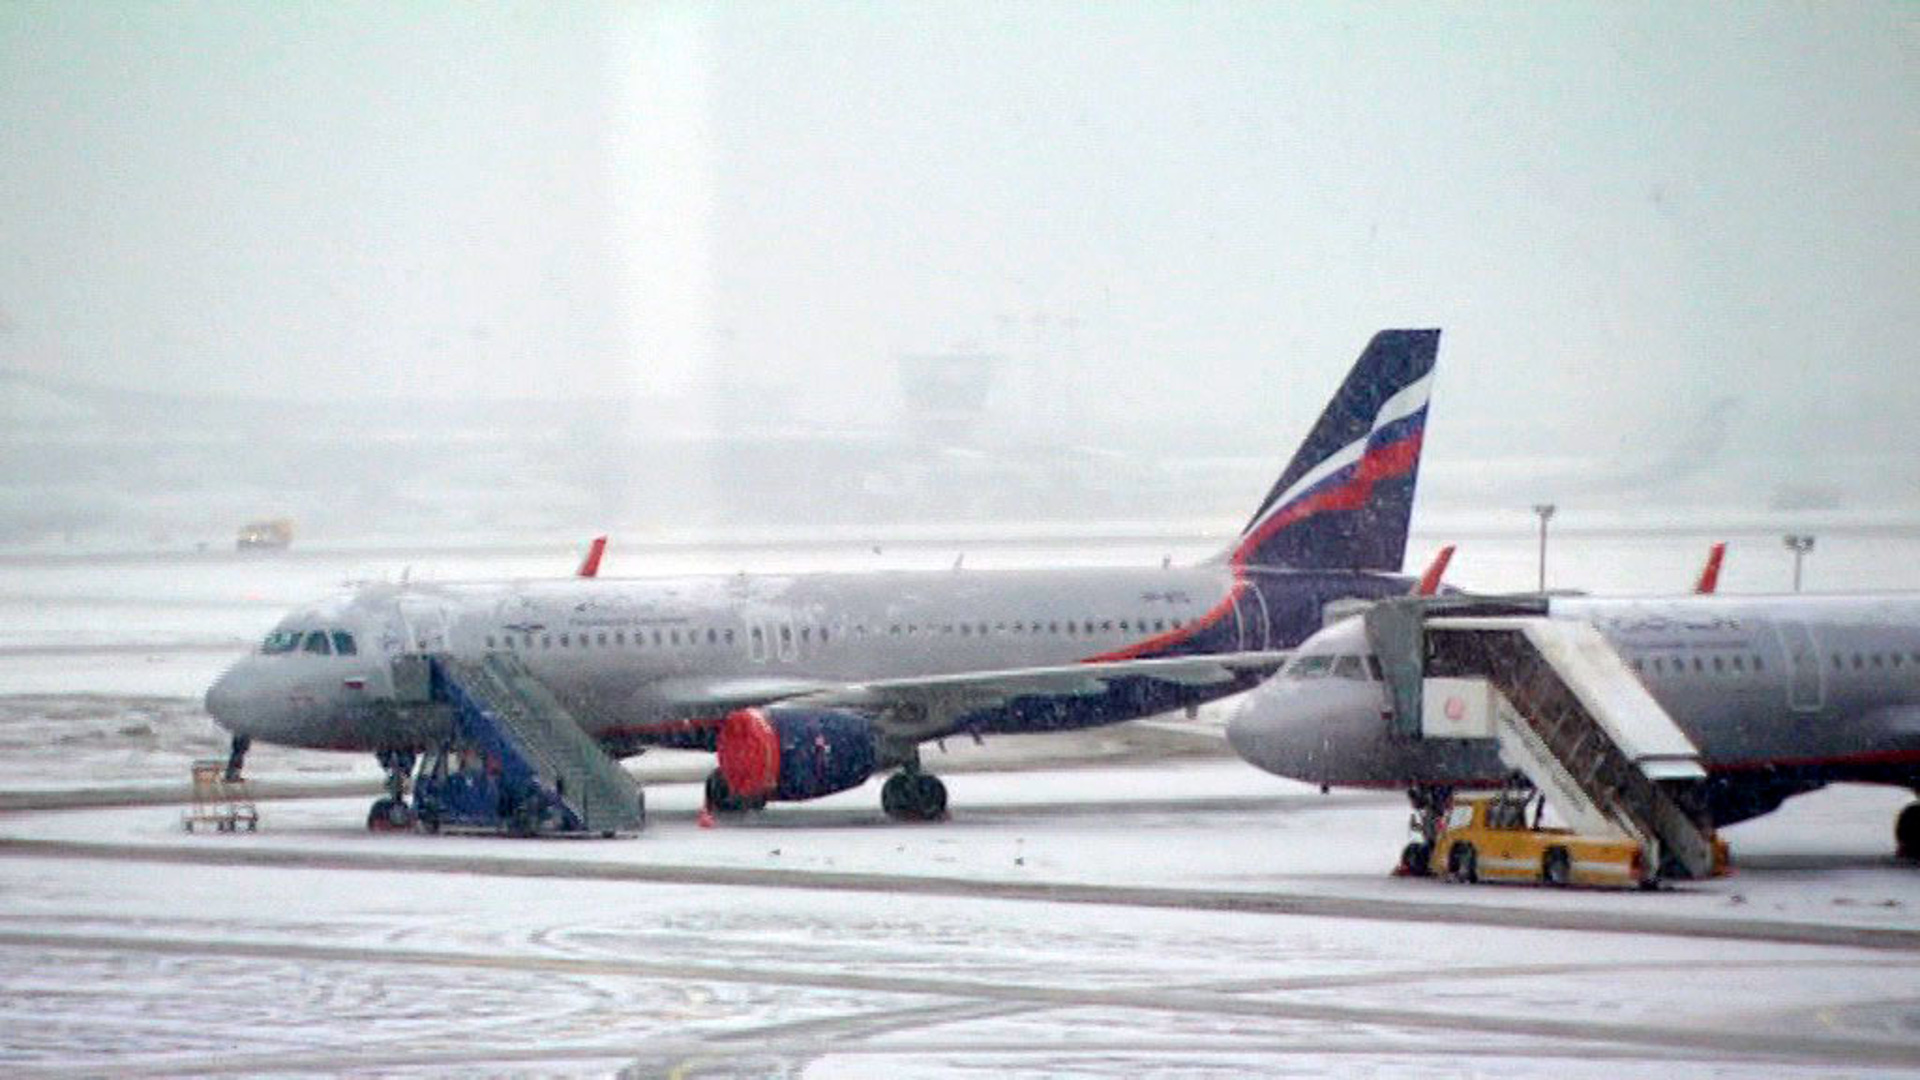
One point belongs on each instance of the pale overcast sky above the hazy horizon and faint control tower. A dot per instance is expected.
(1637, 224)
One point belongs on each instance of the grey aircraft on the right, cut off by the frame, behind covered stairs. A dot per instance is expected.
(1783, 695)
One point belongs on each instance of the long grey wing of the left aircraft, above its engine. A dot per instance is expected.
(1045, 699)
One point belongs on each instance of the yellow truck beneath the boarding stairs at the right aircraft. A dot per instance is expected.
(1497, 837)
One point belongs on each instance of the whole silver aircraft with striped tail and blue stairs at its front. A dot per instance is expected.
(805, 685)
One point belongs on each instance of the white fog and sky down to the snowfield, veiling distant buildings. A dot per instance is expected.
(508, 270)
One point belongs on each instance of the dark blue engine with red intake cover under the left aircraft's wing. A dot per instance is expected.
(790, 754)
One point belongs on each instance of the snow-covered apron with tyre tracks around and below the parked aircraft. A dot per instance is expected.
(1153, 912)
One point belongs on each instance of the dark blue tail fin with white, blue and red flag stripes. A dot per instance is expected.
(1347, 497)
